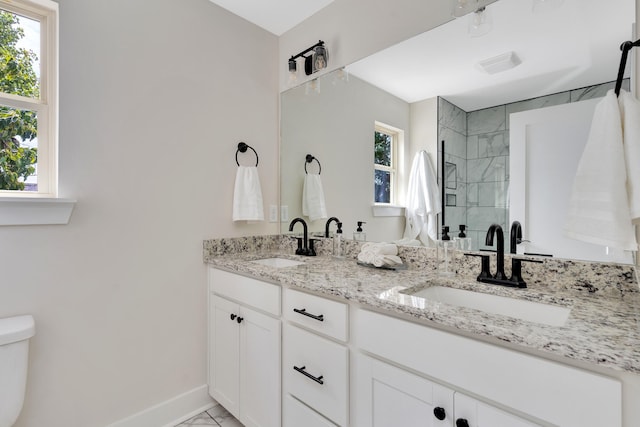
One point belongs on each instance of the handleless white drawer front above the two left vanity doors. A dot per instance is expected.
(251, 292)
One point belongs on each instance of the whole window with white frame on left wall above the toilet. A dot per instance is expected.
(28, 98)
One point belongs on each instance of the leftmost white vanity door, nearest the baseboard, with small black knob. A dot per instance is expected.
(224, 353)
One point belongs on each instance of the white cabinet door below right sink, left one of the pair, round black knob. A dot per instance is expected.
(386, 396)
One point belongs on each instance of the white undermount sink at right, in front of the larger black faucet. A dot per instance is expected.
(530, 311)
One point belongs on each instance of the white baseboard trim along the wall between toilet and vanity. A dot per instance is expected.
(171, 412)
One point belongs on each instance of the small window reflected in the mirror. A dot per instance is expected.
(386, 141)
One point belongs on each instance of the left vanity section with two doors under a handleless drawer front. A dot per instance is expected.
(244, 349)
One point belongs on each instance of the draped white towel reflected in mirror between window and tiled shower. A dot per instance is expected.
(423, 201)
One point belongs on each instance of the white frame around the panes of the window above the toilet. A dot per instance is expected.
(45, 12)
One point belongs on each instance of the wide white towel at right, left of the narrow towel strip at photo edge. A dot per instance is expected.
(598, 208)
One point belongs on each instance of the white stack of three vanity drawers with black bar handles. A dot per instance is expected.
(315, 366)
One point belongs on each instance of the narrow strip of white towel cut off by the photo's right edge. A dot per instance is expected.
(630, 114)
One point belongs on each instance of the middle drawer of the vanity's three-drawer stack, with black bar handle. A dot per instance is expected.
(315, 371)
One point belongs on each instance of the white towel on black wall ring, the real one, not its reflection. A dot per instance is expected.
(247, 195)
